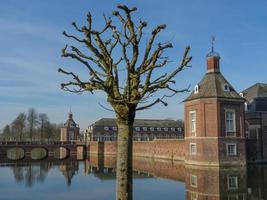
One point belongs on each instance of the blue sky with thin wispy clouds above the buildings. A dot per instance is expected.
(31, 41)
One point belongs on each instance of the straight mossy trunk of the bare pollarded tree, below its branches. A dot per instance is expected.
(124, 161)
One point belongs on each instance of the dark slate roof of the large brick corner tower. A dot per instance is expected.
(212, 85)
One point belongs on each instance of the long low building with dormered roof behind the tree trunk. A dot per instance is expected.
(105, 129)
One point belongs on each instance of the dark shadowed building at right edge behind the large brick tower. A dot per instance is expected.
(256, 121)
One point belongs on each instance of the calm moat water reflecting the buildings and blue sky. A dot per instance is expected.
(94, 179)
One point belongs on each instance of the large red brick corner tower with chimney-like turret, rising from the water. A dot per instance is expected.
(214, 120)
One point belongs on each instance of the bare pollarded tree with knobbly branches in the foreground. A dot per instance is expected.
(126, 71)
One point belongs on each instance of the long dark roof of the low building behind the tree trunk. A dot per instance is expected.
(139, 122)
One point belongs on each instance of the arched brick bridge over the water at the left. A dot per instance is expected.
(12, 151)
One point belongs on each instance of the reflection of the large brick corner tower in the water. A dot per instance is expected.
(216, 183)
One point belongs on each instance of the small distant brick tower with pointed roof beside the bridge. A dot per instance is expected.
(70, 131)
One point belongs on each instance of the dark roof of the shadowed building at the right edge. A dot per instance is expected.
(257, 90)
